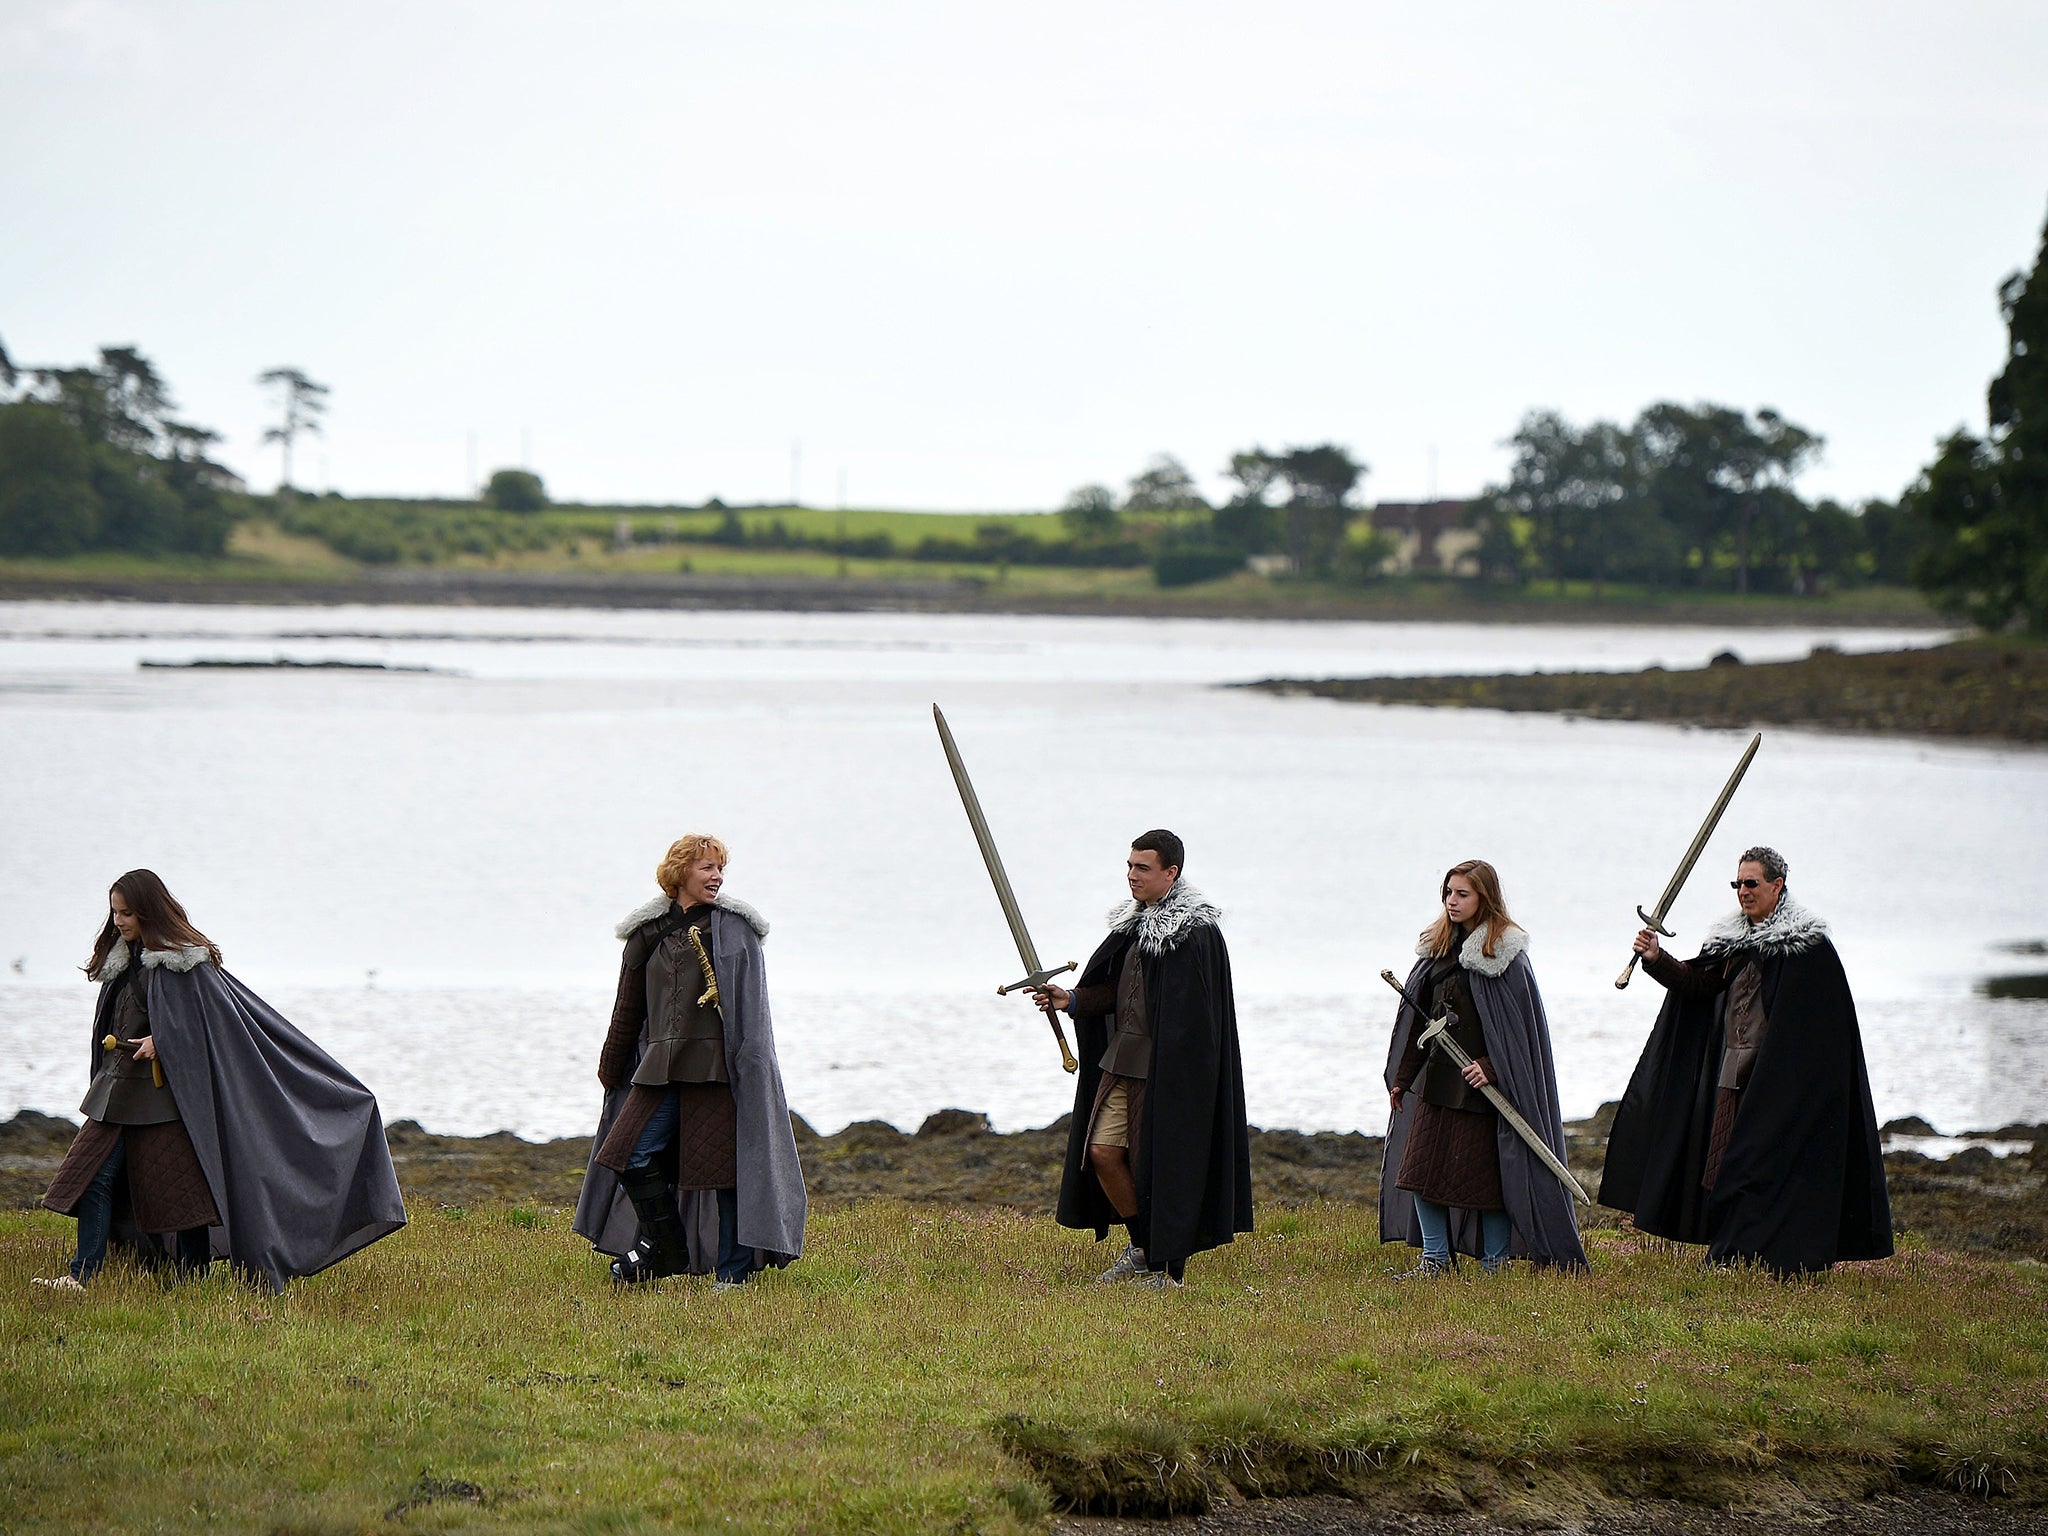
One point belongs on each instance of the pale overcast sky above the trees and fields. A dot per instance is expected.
(968, 257)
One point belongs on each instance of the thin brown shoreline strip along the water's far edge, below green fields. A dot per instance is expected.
(1244, 597)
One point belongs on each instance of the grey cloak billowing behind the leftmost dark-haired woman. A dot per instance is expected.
(290, 1142)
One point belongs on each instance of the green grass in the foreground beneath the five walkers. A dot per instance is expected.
(955, 1371)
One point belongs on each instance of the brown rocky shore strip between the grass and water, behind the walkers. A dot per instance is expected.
(1973, 1201)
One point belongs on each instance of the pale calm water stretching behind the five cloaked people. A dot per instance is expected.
(425, 867)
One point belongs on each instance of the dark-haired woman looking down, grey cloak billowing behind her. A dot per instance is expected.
(212, 1123)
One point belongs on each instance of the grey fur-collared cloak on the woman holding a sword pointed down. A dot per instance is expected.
(1519, 1046)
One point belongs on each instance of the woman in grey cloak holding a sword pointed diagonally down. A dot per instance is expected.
(1455, 1179)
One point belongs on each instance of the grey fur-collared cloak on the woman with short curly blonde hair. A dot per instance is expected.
(773, 1201)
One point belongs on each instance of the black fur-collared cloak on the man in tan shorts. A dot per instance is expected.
(1193, 1156)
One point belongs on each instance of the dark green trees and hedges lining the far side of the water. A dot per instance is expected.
(1699, 497)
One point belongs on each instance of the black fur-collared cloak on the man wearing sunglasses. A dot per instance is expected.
(1803, 1179)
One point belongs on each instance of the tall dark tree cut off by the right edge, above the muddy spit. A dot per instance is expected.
(1983, 503)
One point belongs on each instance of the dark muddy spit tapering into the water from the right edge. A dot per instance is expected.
(1971, 689)
